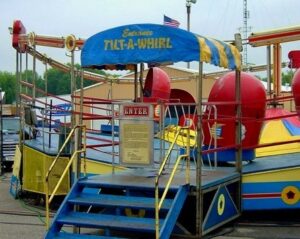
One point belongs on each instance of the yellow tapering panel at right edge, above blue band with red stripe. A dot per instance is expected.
(281, 175)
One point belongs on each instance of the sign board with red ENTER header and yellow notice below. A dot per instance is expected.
(136, 135)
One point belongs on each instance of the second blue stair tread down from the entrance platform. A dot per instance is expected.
(107, 200)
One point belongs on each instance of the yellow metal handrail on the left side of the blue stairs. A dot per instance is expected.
(74, 155)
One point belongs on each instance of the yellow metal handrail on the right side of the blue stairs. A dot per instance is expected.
(159, 202)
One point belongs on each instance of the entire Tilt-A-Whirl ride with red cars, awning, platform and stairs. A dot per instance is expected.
(144, 174)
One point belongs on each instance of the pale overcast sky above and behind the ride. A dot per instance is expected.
(219, 19)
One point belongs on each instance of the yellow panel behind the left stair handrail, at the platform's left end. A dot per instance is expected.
(35, 167)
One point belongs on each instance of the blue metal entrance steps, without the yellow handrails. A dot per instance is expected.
(115, 211)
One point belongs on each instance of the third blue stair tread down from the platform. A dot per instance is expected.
(92, 220)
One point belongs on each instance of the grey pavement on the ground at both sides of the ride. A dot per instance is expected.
(21, 219)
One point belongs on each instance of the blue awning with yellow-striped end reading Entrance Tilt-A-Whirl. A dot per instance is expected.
(154, 44)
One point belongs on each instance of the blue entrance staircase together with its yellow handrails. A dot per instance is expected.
(122, 205)
